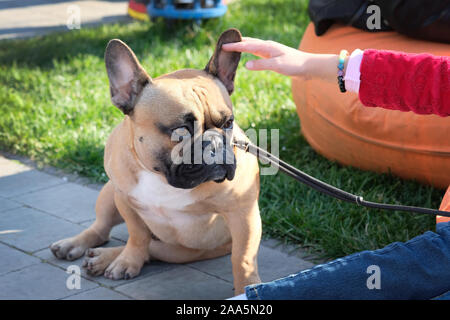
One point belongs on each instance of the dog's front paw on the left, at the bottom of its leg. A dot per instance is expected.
(125, 266)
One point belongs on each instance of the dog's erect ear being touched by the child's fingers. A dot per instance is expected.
(223, 64)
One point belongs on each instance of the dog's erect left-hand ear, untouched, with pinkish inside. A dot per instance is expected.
(126, 76)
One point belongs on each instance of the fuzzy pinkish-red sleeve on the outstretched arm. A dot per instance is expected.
(406, 82)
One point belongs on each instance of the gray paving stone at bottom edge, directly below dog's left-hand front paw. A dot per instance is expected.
(179, 283)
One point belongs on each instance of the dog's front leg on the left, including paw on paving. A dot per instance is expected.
(129, 262)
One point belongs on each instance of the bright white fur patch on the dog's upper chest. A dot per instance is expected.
(153, 191)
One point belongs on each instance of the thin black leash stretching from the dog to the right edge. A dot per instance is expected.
(326, 188)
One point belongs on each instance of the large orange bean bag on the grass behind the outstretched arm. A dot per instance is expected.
(339, 127)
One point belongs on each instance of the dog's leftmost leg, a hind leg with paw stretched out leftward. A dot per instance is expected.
(107, 217)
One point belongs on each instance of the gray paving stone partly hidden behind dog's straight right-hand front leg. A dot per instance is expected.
(272, 264)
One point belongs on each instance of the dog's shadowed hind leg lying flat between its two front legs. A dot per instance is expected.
(178, 254)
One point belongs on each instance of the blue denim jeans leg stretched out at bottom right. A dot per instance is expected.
(417, 269)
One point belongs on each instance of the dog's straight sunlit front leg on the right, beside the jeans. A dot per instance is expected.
(245, 228)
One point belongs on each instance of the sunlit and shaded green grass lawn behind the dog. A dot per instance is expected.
(55, 108)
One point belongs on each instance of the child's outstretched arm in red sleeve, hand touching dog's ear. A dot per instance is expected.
(387, 79)
